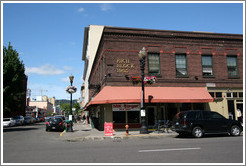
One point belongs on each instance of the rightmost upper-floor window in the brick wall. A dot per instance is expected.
(232, 66)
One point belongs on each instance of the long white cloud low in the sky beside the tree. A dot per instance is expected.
(46, 69)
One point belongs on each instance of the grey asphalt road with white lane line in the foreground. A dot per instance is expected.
(31, 144)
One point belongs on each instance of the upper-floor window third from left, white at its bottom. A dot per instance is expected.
(207, 65)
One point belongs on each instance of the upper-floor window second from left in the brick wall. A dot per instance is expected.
(181, 65)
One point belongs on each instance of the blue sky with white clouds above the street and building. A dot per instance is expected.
(49, 36)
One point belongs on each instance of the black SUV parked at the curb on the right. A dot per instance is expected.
(198, 123)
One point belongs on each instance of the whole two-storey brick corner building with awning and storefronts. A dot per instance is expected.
(193, 70)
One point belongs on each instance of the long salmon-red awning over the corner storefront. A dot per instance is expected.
(110, 94)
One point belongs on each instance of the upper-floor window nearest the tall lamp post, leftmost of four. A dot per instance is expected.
(154, 63)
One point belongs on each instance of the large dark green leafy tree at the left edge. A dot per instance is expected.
(13, 80)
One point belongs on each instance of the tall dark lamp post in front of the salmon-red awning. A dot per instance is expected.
(142, 56)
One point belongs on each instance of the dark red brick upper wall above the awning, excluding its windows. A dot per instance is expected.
(118, 44)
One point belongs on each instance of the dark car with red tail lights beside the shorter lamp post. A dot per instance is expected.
(55, 123)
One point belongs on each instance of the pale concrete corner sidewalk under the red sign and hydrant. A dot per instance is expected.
(82, 132)
